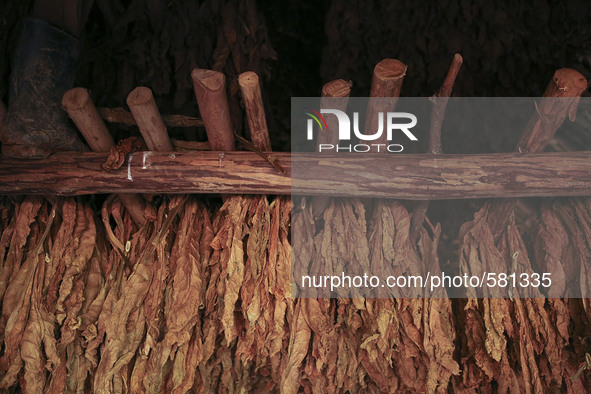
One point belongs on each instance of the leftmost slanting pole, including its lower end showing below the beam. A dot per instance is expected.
(81, 109)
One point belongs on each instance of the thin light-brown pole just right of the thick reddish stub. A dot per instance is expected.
(255, 110)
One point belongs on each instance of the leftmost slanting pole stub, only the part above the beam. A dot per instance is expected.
(81, 109)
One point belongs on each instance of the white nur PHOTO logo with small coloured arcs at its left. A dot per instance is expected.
(394, 122)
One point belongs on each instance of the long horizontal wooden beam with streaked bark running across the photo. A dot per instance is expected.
(400, 176)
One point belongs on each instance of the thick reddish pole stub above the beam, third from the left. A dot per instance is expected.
(210, 91)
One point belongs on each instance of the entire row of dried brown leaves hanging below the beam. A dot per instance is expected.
(198, 300)
